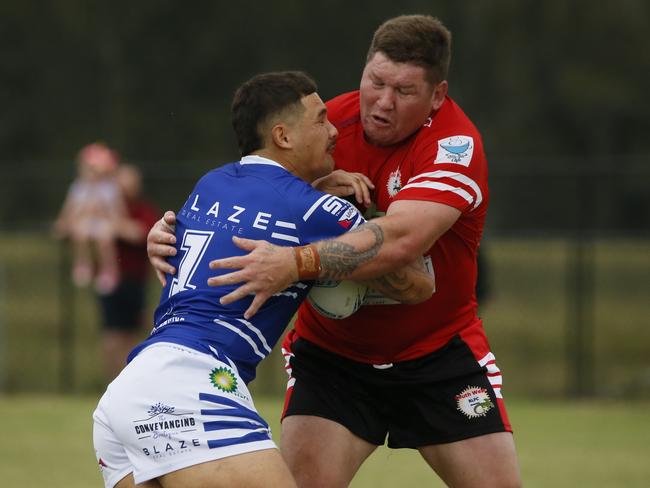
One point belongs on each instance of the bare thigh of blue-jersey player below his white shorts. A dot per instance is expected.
(259, 469)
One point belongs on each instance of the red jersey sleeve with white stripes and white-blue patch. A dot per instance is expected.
(452, 170)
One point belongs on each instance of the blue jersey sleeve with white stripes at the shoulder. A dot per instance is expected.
(324, 216)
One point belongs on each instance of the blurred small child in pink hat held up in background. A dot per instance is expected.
(89, 216)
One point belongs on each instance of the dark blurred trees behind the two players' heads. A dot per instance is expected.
(543, 81)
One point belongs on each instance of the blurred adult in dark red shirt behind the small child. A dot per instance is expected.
(124, 308)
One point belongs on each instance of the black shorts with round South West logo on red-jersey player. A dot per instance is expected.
(442, 397)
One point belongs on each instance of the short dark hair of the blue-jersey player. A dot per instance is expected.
(262, 97)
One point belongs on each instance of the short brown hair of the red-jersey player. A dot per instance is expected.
(421, 40)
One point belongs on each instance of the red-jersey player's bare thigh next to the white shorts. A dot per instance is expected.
(321, 452)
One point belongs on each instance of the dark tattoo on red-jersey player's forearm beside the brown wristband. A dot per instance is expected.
(339, 259)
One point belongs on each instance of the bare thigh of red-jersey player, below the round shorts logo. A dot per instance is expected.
(485, 461)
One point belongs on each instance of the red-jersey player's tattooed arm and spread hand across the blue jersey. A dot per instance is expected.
(388, 244)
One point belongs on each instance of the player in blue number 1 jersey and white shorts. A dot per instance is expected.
(180, 413)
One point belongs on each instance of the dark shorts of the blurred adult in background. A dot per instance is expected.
(123, 309)
